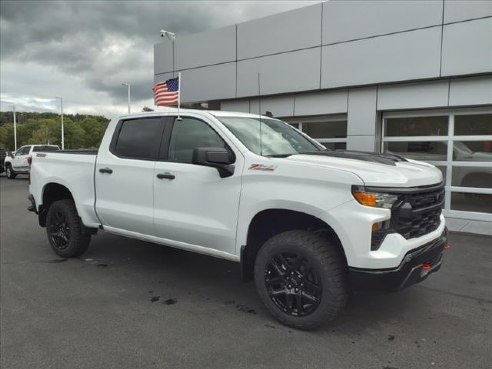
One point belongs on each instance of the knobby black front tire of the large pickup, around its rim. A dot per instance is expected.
(325, 260)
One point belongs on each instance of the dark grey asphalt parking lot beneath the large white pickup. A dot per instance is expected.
(131, 304)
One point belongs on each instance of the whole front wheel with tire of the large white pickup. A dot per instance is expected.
(301, 278)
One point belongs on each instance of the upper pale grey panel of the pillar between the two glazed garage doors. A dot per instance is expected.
(362, 111)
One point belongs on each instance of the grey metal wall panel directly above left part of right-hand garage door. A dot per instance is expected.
(413, 95)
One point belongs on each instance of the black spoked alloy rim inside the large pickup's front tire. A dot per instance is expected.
(292, 284)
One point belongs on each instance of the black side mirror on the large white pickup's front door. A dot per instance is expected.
(216, 157)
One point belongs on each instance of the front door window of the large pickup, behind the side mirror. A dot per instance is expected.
(188, 134)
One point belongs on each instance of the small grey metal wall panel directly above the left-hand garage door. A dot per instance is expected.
(321, 103)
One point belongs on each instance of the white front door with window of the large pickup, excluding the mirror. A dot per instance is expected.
(193, 204)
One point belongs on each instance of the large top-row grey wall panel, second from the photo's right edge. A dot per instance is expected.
(371, 18)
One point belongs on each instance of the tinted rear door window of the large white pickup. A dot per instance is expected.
(139, 138)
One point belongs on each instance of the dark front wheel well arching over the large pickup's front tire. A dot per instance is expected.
(268, 223)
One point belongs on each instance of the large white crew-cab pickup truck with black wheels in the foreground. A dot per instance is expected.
(309, 225)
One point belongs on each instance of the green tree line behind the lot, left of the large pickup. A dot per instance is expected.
(81, 131)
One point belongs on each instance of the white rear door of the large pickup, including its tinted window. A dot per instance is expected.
(124, 175)
